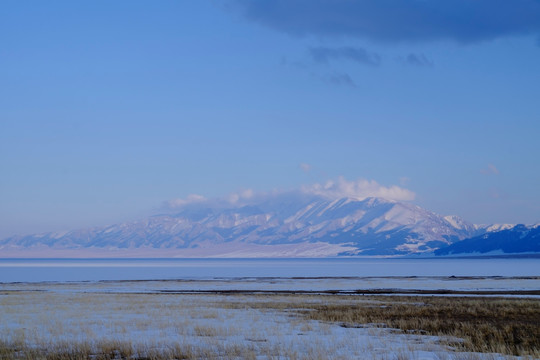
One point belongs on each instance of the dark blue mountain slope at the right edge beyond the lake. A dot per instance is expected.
(499, 240)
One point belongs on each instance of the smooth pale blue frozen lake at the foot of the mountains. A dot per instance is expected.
(38, 270)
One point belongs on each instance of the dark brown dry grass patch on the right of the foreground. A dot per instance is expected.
(506, 326)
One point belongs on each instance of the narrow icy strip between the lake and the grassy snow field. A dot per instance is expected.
(486, 286)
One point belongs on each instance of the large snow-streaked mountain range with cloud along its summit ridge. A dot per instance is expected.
(282, 225)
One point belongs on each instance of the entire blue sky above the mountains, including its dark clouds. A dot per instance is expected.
(110, 109)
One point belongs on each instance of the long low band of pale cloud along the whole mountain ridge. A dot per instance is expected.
(332, 189)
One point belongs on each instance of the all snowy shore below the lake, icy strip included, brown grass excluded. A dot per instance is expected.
(145, 316)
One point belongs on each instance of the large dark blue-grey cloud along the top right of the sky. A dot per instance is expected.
(465, 21)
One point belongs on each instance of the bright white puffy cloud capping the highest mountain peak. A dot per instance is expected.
(359, 189)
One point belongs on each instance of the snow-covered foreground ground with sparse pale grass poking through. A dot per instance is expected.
(210, 325)
